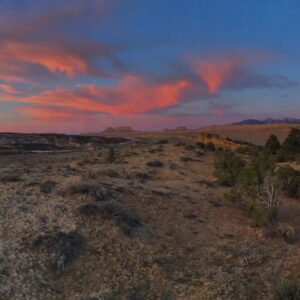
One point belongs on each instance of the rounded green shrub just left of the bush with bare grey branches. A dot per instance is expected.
(228, 167)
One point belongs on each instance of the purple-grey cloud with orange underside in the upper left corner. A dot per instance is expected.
(40, 42)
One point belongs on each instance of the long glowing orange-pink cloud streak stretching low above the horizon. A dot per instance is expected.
(131, 96)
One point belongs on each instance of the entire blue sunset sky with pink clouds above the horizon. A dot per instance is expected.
(75, 66)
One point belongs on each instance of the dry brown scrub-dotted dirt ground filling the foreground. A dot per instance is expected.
(151, 225)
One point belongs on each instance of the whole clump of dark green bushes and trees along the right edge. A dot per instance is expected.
(255, 180)
